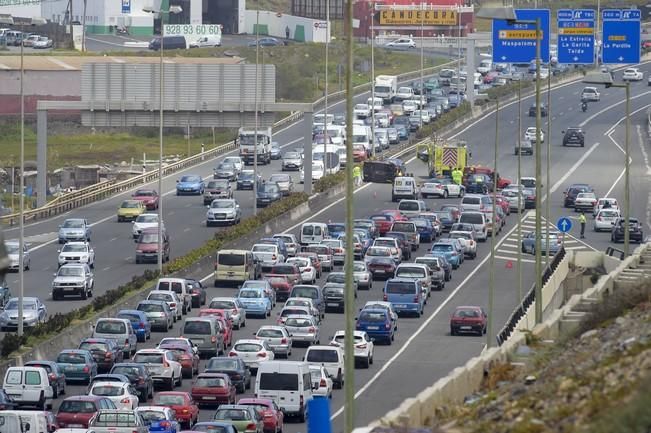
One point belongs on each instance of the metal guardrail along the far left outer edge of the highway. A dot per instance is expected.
(106, 189)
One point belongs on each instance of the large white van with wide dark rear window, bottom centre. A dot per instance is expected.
(288, 383)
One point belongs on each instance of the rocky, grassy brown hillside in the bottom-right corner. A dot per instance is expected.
(597, 381)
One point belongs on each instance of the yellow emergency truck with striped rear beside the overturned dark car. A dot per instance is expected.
(443, 156)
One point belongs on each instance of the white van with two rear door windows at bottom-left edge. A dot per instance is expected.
(29, 386)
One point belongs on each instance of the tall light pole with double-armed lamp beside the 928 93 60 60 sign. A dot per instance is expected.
(161, 92)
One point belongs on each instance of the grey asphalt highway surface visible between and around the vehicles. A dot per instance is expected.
(424, 351)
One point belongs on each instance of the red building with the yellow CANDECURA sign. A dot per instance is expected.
(409, 17)
